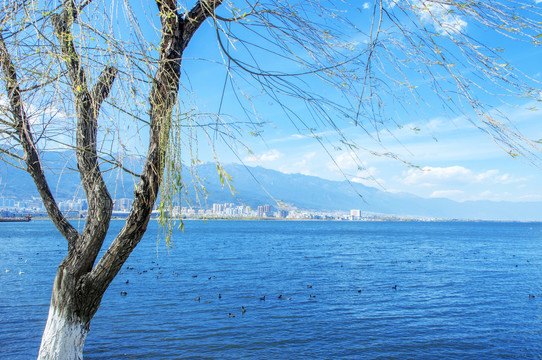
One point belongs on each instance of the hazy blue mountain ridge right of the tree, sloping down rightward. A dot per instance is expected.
(310, 192)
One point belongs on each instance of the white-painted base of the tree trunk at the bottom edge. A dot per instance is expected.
(62, 340)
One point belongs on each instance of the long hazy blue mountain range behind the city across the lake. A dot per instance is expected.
(257, 186)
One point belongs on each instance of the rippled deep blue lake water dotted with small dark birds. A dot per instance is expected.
(350, 290)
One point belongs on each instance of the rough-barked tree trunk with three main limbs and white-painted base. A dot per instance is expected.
(80, 282)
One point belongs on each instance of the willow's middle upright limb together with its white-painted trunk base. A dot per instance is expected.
(75, 300)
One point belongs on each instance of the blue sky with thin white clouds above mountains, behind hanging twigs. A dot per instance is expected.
(438, 153)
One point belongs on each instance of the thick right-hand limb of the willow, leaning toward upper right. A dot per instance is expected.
(176, 34)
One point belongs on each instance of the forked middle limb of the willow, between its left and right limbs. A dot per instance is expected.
(100, 204)
